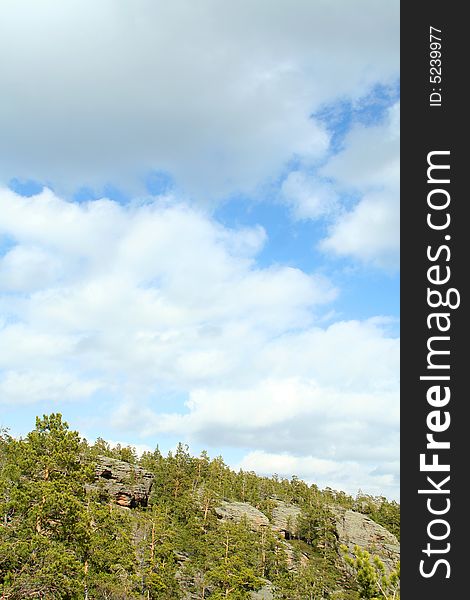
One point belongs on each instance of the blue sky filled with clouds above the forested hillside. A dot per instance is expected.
(199, 236)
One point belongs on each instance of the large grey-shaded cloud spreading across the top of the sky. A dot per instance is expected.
(218, 93)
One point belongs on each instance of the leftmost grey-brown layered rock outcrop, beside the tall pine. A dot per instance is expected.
(128, 485)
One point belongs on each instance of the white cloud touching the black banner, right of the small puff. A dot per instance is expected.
(368, 165)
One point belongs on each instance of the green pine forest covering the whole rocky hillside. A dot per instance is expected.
(63, 535)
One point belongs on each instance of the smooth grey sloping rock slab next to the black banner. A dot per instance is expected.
(354, 528)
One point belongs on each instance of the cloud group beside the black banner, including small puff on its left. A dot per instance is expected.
(367, 167)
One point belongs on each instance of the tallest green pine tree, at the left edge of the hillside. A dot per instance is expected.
(44, 534)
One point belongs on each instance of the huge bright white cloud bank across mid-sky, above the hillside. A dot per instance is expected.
(146, 303)
